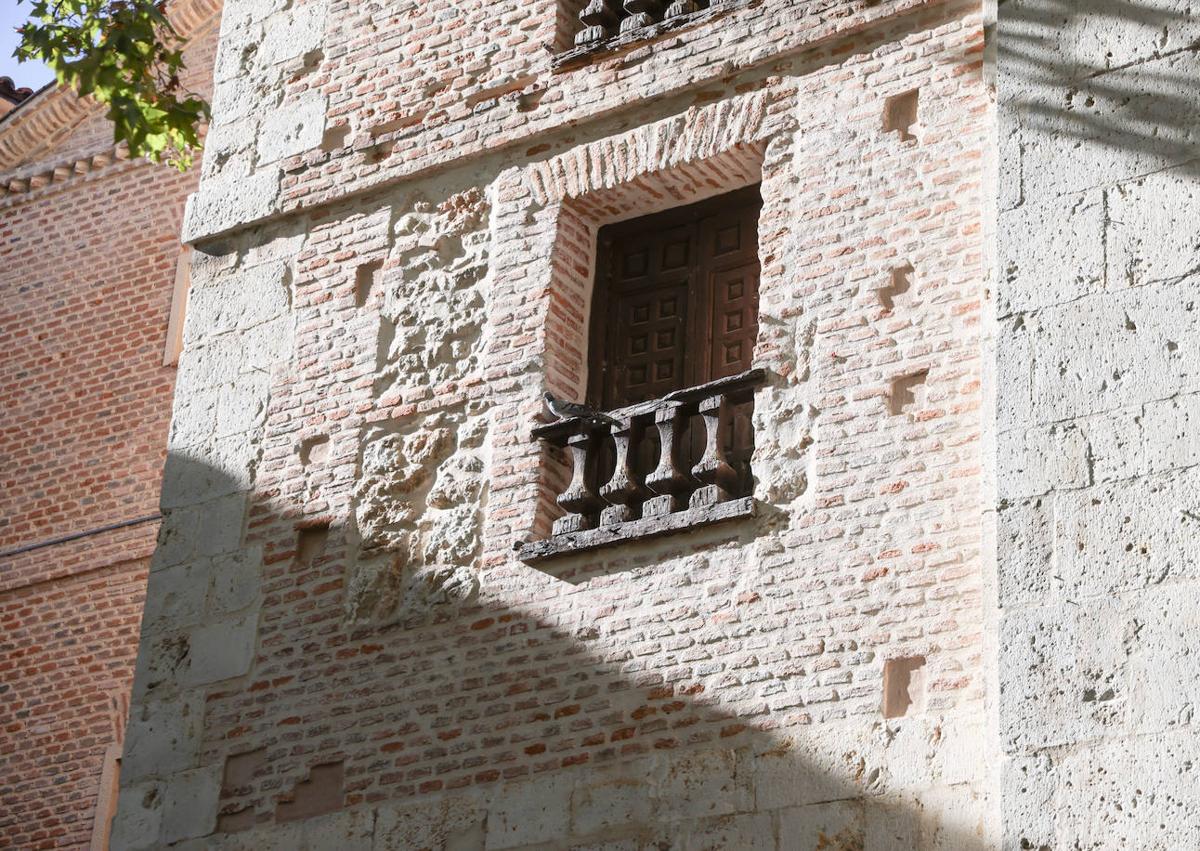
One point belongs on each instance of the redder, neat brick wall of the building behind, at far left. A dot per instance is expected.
(89, 244)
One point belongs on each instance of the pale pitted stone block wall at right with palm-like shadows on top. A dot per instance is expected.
(1099, 375)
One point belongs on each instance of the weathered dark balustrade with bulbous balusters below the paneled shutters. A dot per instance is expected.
(667, 465)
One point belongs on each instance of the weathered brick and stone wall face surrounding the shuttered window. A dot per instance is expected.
(340, 648)
